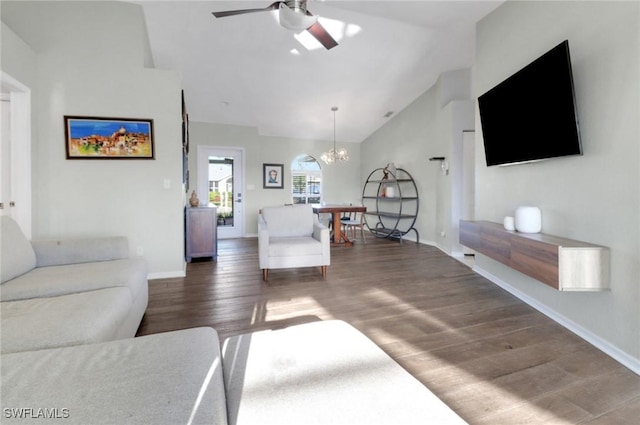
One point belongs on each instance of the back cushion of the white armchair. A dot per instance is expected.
(288, 221)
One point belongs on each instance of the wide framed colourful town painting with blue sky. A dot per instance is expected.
(108, 138)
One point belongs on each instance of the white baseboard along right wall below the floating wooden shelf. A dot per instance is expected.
(603, 345)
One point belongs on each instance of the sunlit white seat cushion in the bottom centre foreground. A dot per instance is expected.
(322, 373)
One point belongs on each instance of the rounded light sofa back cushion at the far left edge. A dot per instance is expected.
(16, 254)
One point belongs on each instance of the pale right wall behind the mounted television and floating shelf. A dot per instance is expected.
(595, 197)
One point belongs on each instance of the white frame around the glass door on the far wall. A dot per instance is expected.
(206, 151)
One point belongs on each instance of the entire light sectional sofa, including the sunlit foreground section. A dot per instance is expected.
(69, 310)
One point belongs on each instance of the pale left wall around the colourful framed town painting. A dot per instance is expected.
(90, 61)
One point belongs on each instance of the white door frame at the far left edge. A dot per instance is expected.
(20, 134)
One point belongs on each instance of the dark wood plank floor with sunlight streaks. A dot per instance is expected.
(490, 357)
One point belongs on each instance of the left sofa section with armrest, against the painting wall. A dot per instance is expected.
(70, 292)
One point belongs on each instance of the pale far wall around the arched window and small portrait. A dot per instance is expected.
(341, 182)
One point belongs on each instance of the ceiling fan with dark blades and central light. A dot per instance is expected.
(294, 16)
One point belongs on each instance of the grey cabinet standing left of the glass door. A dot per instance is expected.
(201, 233)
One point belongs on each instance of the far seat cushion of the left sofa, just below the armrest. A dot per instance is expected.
(72, 278)
